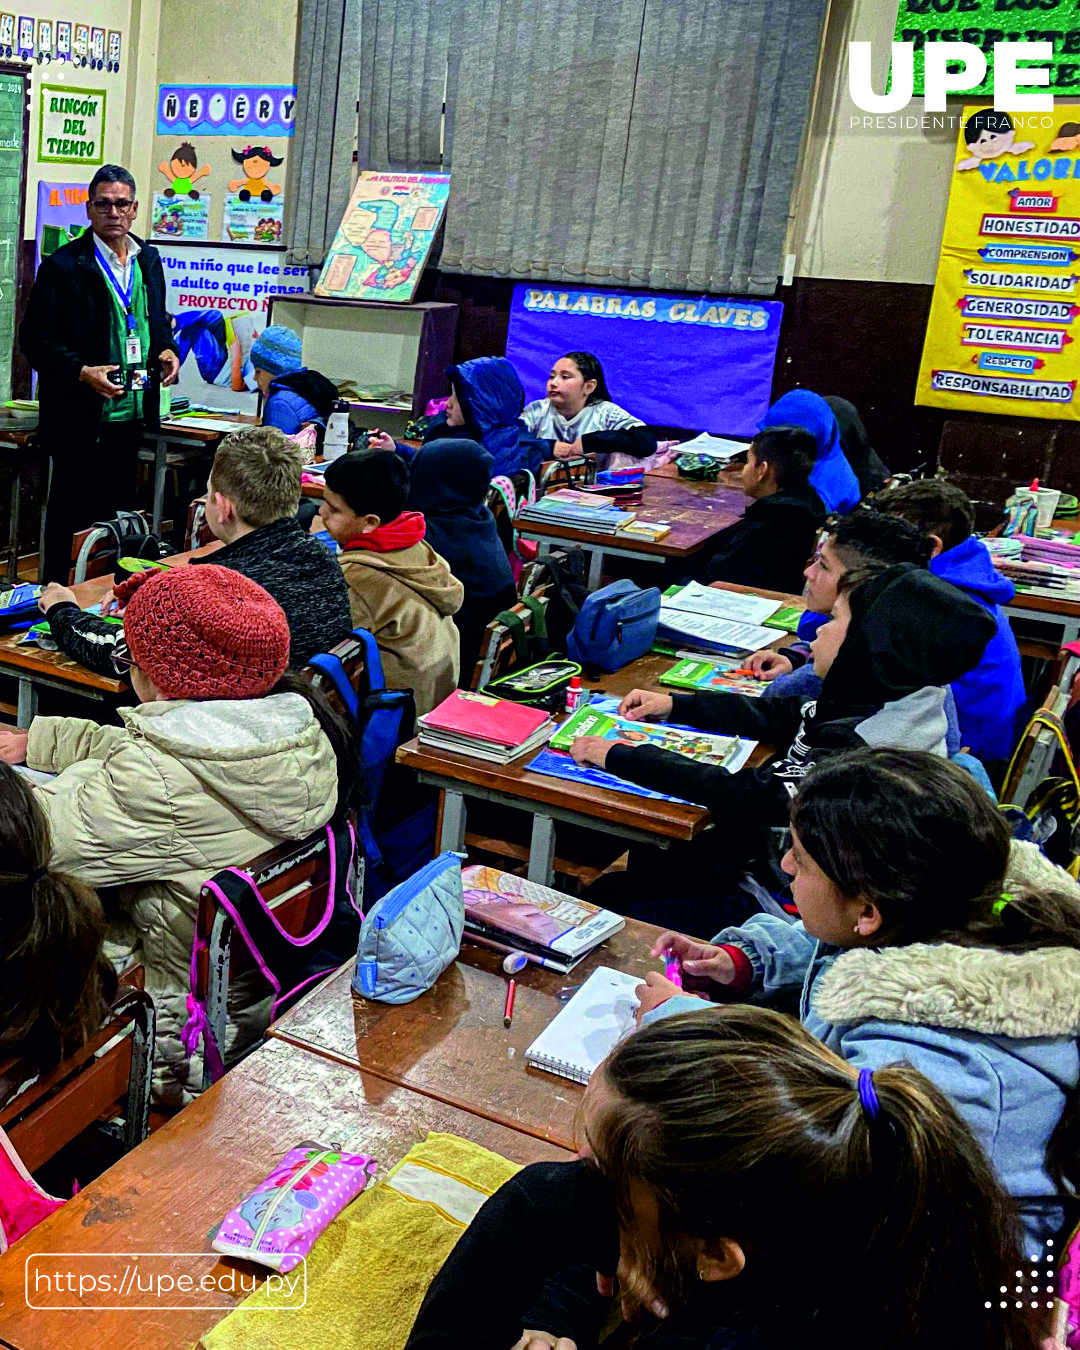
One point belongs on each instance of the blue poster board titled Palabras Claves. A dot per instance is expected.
(673, 361)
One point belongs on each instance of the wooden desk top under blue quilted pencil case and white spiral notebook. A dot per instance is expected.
(450, 1044)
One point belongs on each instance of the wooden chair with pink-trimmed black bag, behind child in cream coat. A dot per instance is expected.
(299, 890)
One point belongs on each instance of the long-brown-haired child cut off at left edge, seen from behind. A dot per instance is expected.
(56, 985)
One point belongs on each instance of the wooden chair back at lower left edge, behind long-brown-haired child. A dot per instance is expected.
(109, 1075)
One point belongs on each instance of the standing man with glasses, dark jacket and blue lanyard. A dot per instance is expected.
(98, 334)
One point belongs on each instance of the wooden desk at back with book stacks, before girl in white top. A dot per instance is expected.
(695, 511)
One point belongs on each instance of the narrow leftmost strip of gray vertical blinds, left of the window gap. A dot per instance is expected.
(319, 173)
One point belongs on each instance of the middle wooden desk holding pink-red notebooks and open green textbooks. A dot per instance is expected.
(639, 820)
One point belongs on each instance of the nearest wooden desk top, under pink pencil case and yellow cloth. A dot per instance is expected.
(169, 1194)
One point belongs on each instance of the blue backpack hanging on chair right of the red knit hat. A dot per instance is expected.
(398, 842)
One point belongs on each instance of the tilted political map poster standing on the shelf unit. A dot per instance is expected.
(385, 237)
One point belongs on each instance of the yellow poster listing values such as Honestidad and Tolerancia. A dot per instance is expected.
(1005, 321)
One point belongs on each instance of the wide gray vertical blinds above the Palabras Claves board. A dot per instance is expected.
(627, 142)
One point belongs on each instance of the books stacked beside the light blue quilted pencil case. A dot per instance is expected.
(511, 915)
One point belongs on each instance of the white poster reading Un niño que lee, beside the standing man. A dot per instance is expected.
(218, 299)
